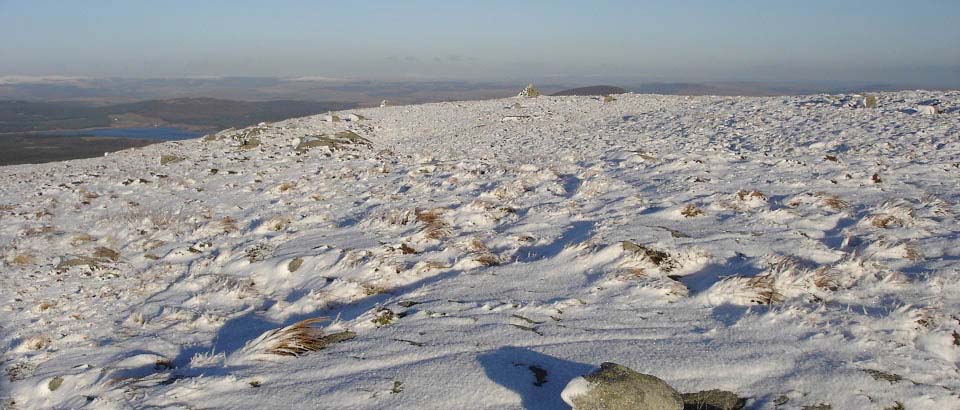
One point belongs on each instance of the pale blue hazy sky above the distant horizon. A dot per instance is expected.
(671, 40)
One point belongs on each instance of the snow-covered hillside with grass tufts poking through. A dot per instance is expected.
(795, 250)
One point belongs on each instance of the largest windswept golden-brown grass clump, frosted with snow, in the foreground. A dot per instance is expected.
(297, 339)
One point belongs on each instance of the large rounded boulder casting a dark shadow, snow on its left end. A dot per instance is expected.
(616, 387)
